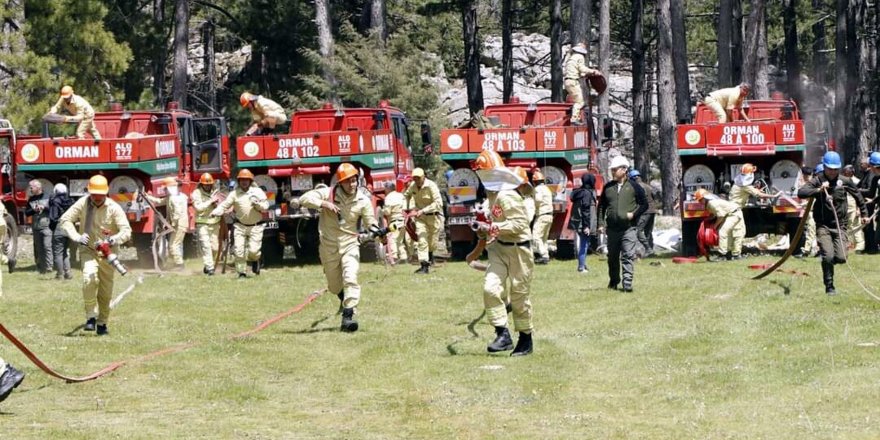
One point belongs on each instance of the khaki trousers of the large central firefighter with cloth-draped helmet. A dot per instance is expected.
(513, 263)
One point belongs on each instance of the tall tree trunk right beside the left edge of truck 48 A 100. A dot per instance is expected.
(670, 167)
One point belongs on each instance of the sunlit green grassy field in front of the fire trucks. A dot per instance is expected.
(698, 351)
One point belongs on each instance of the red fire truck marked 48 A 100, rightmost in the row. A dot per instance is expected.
(712, 154)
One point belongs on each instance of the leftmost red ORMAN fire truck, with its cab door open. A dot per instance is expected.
(137, 151)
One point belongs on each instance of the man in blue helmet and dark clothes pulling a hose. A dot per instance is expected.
(829, 210)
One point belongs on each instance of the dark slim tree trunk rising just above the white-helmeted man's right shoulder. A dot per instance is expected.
(641, 154)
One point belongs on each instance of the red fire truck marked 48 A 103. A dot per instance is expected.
(532, 136)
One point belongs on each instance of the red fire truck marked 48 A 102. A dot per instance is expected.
(375, 140)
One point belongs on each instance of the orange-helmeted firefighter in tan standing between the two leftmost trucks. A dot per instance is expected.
(205, 199)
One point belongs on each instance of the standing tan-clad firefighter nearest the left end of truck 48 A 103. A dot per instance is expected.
(428, 214)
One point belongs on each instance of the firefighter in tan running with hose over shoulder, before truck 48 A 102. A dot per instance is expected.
(342, 207)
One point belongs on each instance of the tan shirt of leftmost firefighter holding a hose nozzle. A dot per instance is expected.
(109, 218)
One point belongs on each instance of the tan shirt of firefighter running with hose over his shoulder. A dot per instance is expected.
(340, 229)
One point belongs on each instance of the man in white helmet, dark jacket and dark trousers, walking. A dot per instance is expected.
(621, 205)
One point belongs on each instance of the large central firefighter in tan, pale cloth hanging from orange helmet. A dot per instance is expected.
(510, 256)
